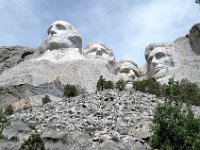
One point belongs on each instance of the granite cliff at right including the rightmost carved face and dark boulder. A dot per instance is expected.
(179, 59)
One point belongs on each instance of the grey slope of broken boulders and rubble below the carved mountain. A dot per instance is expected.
(106, 120)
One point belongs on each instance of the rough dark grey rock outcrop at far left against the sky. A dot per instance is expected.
(12, 55)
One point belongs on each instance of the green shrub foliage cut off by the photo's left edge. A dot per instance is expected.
(4, 122)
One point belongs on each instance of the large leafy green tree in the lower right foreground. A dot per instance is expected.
(174, 125)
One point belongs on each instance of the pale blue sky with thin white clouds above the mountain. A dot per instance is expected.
(126, 26)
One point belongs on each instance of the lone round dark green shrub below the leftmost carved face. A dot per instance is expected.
(70, 91)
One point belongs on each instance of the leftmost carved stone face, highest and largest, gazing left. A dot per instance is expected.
(63, 35)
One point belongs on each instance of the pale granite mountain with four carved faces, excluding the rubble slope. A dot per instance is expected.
(61, 60)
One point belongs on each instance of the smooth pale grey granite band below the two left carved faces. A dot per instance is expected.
(79, 72)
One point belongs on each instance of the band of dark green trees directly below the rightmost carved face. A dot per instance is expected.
(186, 91)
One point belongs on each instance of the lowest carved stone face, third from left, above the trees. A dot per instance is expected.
(128, 72)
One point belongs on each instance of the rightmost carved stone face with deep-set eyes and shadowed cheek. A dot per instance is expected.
(159, 62)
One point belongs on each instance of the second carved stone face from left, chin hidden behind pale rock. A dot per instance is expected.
(98, 51)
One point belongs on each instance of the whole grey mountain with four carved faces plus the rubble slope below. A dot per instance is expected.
(109, 119)
